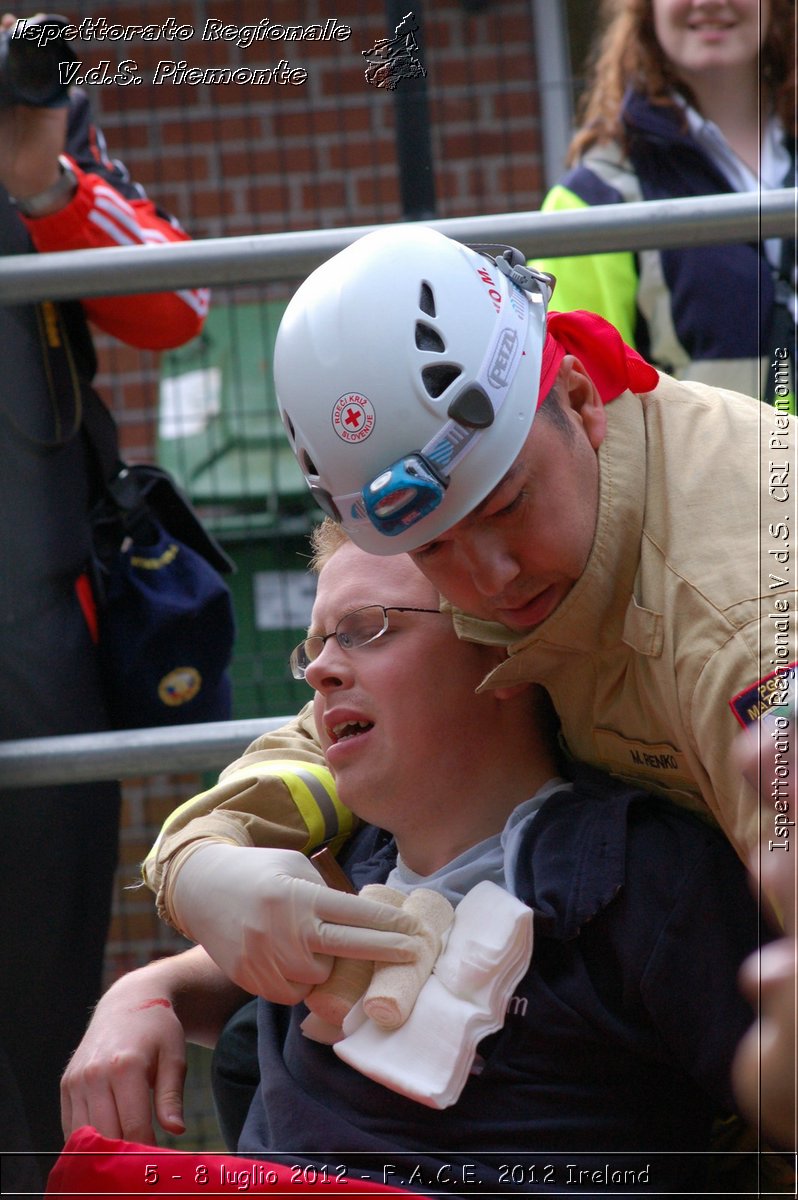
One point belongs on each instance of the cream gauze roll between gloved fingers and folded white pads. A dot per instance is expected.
(395, 987)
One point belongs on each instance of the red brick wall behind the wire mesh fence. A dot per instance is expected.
(236, 160)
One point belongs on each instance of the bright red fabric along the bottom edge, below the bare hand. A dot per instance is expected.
(93, 1166)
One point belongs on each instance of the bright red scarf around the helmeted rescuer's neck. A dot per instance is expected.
(613, 365)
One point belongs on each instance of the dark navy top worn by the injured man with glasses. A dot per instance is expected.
(615, 1055)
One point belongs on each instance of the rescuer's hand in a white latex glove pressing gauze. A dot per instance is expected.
(273, 926)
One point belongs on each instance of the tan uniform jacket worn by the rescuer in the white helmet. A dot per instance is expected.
(675, 616)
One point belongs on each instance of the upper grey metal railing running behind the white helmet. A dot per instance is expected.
(698, 220)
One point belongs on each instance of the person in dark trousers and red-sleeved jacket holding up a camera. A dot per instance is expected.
(59, 190)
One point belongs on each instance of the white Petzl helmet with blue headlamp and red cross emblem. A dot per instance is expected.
(407, 371)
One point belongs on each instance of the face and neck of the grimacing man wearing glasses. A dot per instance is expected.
(412, 746)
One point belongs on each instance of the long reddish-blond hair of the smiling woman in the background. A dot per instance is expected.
(628, 55)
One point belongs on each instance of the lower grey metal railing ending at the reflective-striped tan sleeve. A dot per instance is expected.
(88, 758)
